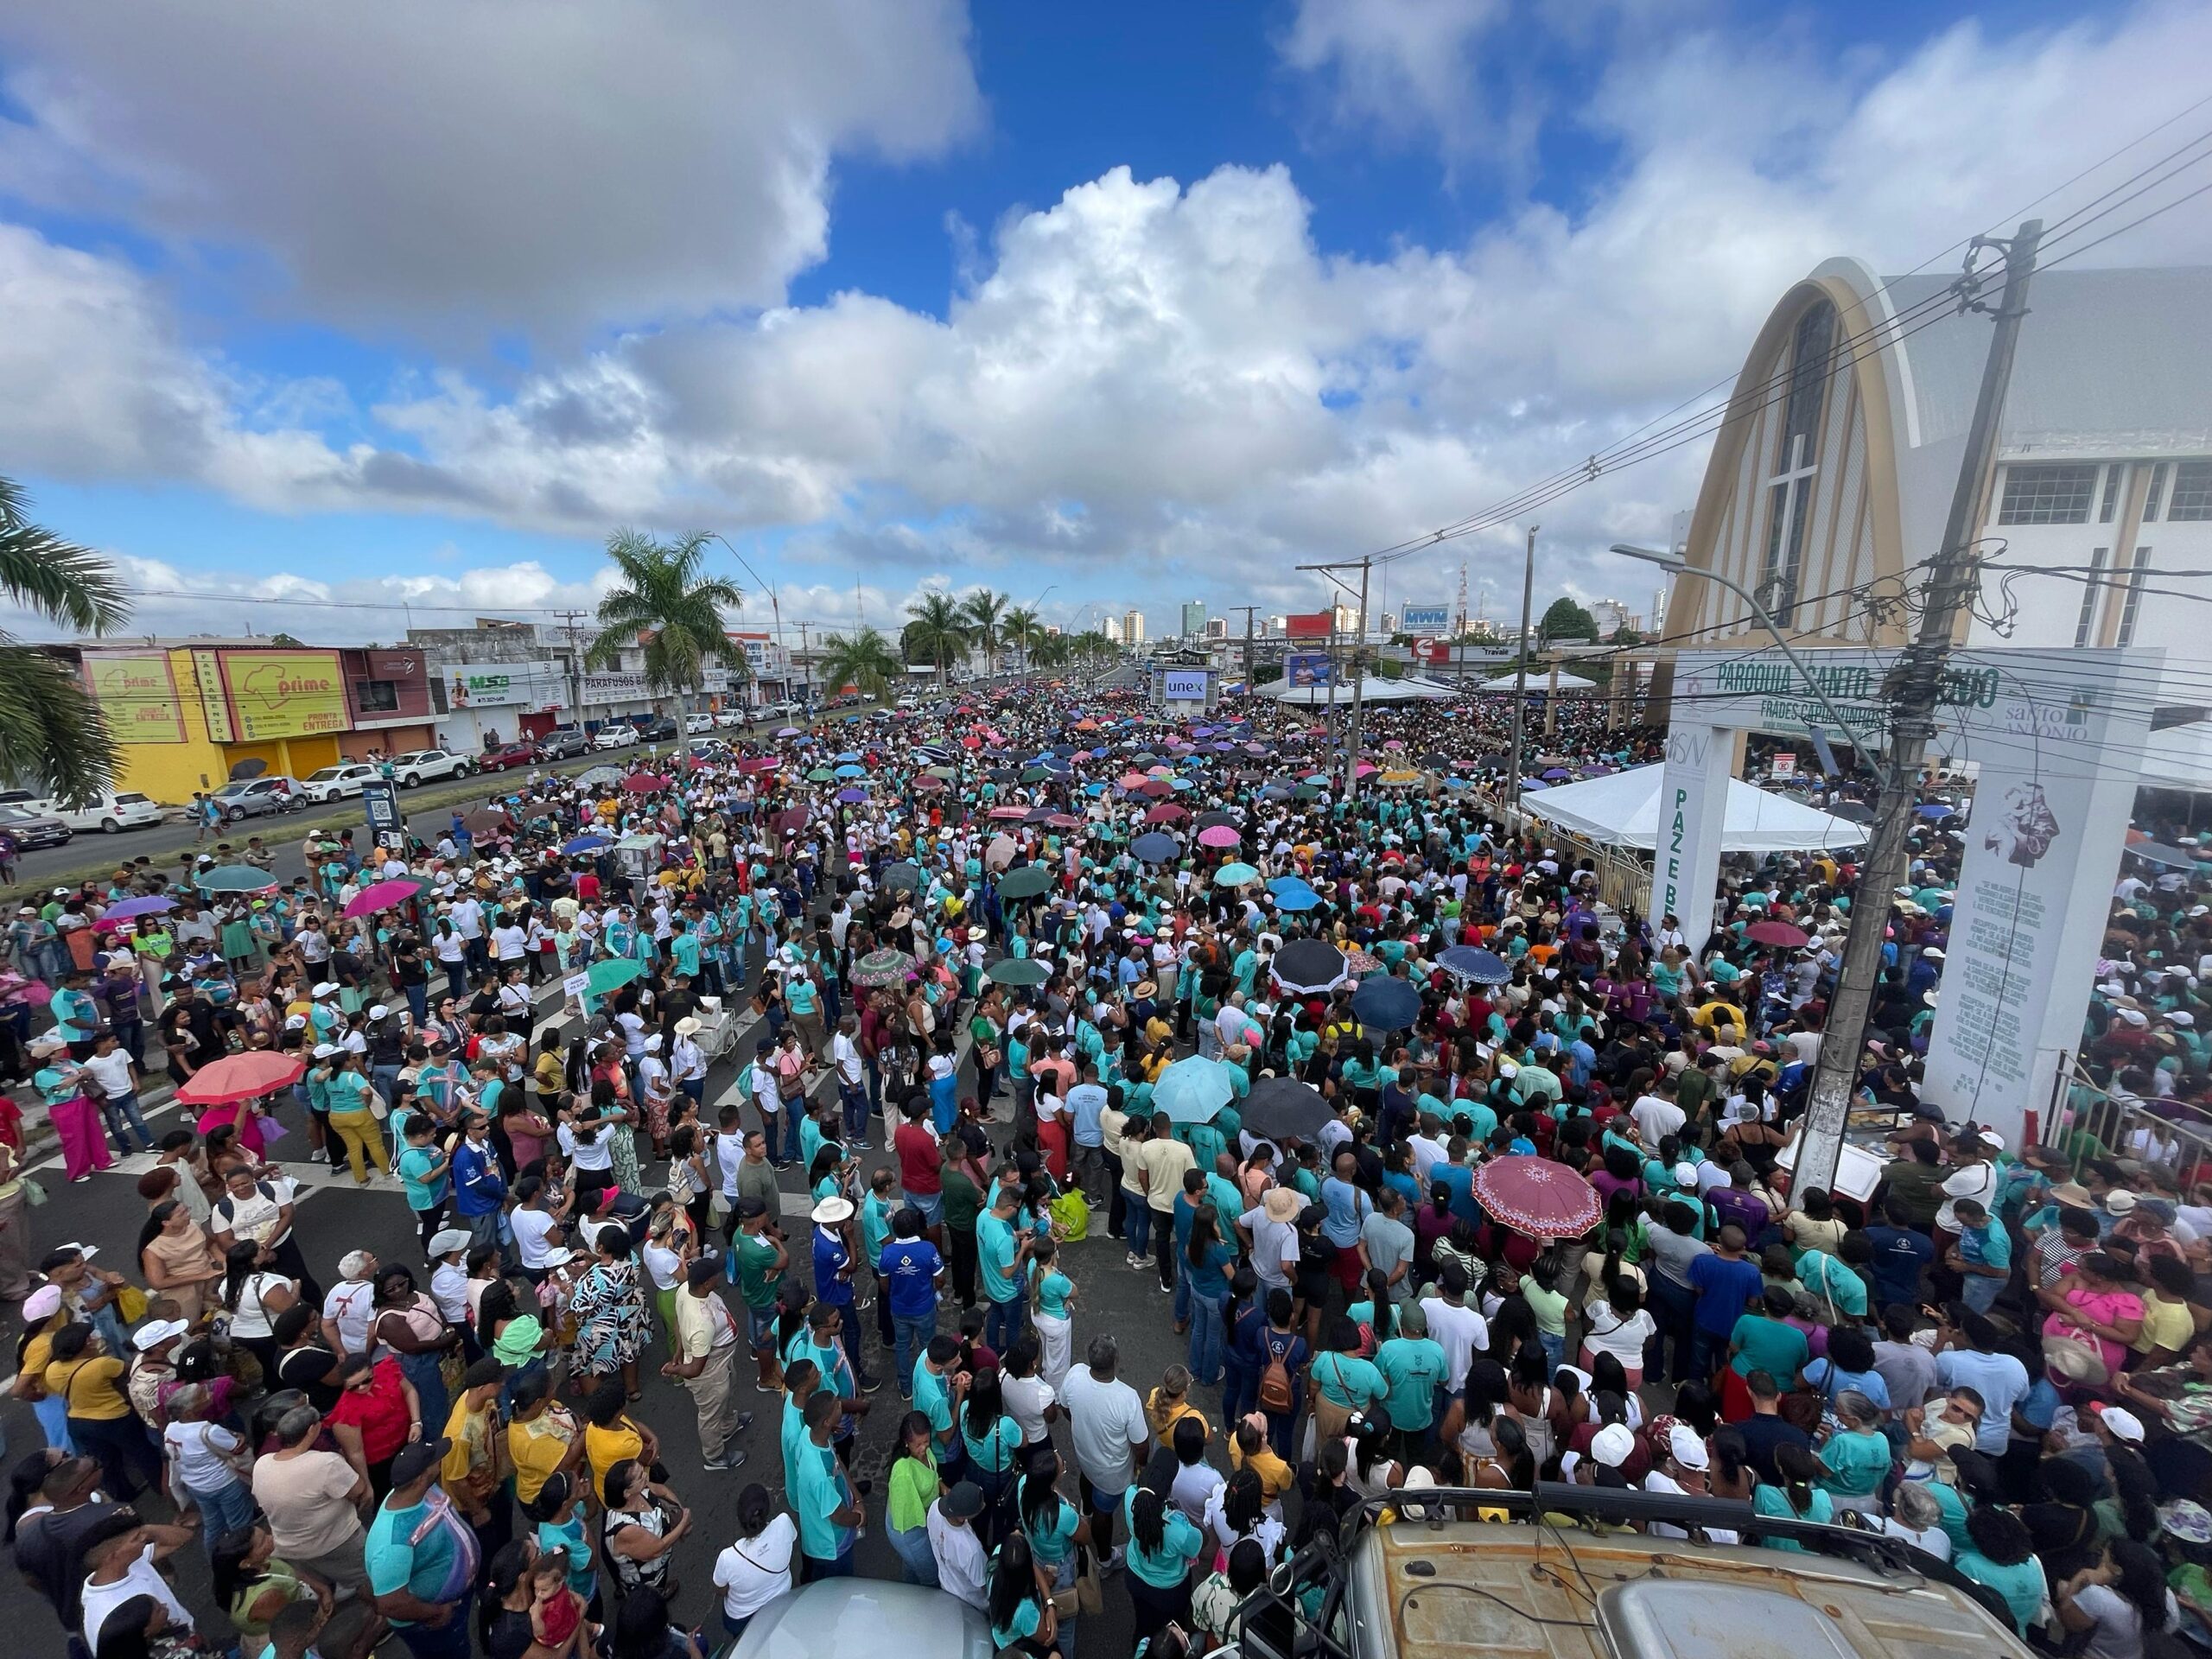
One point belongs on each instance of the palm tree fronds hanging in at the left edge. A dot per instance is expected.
(52, 731)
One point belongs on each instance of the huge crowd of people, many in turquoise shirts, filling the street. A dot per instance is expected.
(1019, 983)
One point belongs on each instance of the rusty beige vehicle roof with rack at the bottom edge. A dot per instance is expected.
(1507, 1592)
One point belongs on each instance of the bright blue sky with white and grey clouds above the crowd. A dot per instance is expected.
(413, 306)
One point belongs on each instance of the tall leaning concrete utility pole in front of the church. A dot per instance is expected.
(1912, 693)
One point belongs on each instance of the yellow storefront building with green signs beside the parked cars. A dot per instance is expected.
(185, 718)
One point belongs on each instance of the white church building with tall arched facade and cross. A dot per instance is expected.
(1833, 479)
